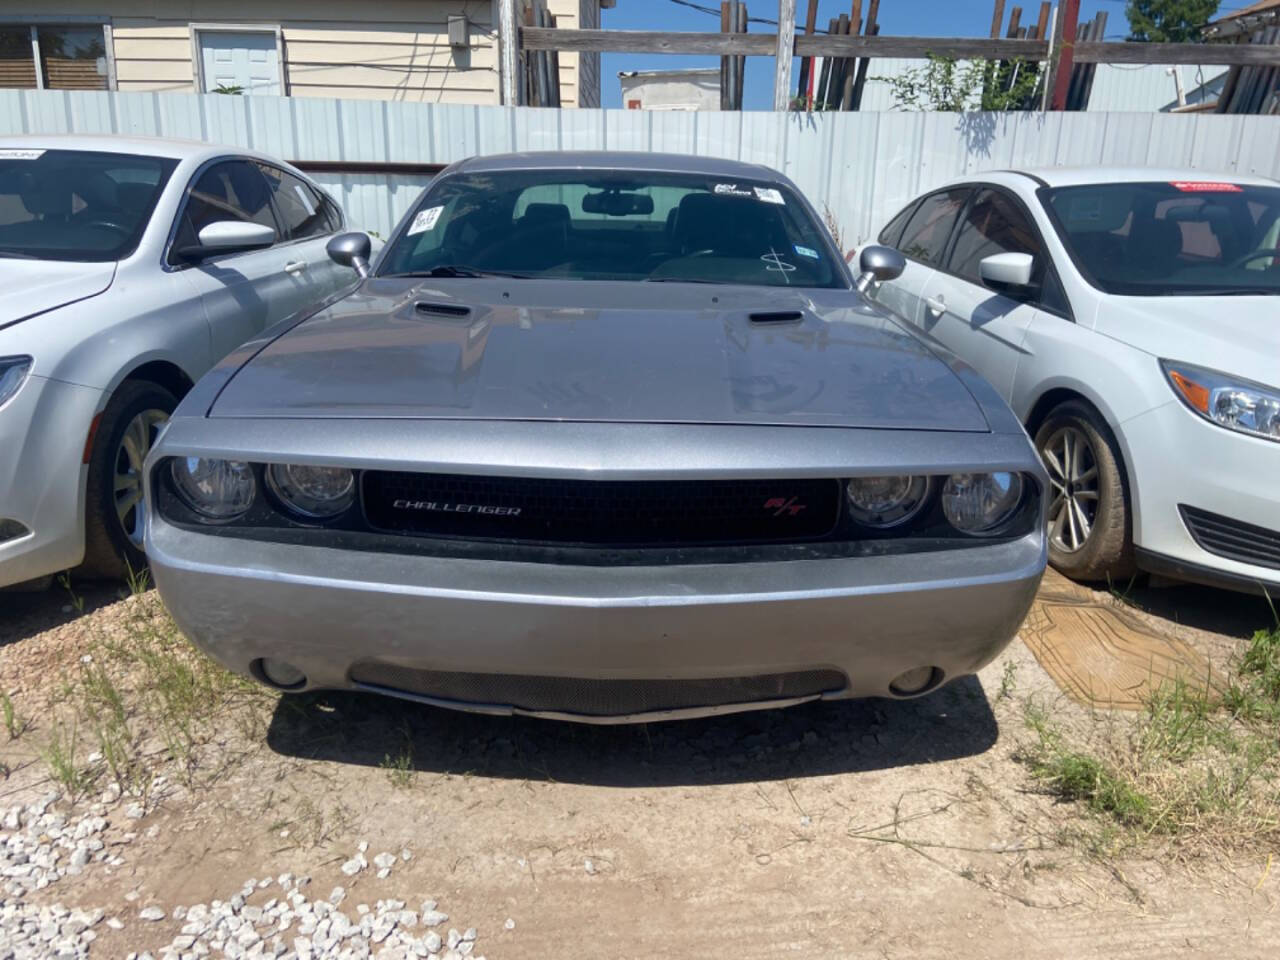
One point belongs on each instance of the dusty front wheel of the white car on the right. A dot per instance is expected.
(1090, 525)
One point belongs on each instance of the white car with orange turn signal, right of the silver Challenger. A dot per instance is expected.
(1132, 321)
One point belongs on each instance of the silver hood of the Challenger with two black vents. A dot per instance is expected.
(586, 351)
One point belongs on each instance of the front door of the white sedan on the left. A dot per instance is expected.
(245, 292)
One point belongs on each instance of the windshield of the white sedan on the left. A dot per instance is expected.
(76, 205)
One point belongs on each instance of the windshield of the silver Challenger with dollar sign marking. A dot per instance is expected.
(615, 226)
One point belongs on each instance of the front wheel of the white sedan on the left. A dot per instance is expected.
(115, 508)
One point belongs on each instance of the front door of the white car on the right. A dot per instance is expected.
(986, 328)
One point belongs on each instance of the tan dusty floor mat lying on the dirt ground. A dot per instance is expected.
(1103, 656)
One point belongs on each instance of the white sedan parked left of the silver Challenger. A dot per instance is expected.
(127, 269)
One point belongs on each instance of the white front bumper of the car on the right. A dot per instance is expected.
(1181, 460)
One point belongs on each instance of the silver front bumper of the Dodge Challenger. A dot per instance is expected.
(330, 611)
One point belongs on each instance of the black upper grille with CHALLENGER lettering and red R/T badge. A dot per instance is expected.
(611, 513)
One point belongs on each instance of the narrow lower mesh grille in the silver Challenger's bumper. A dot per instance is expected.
(596, 698)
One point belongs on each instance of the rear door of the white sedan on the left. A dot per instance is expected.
(308, 222)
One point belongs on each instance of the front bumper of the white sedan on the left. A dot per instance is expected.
(43, 433)
